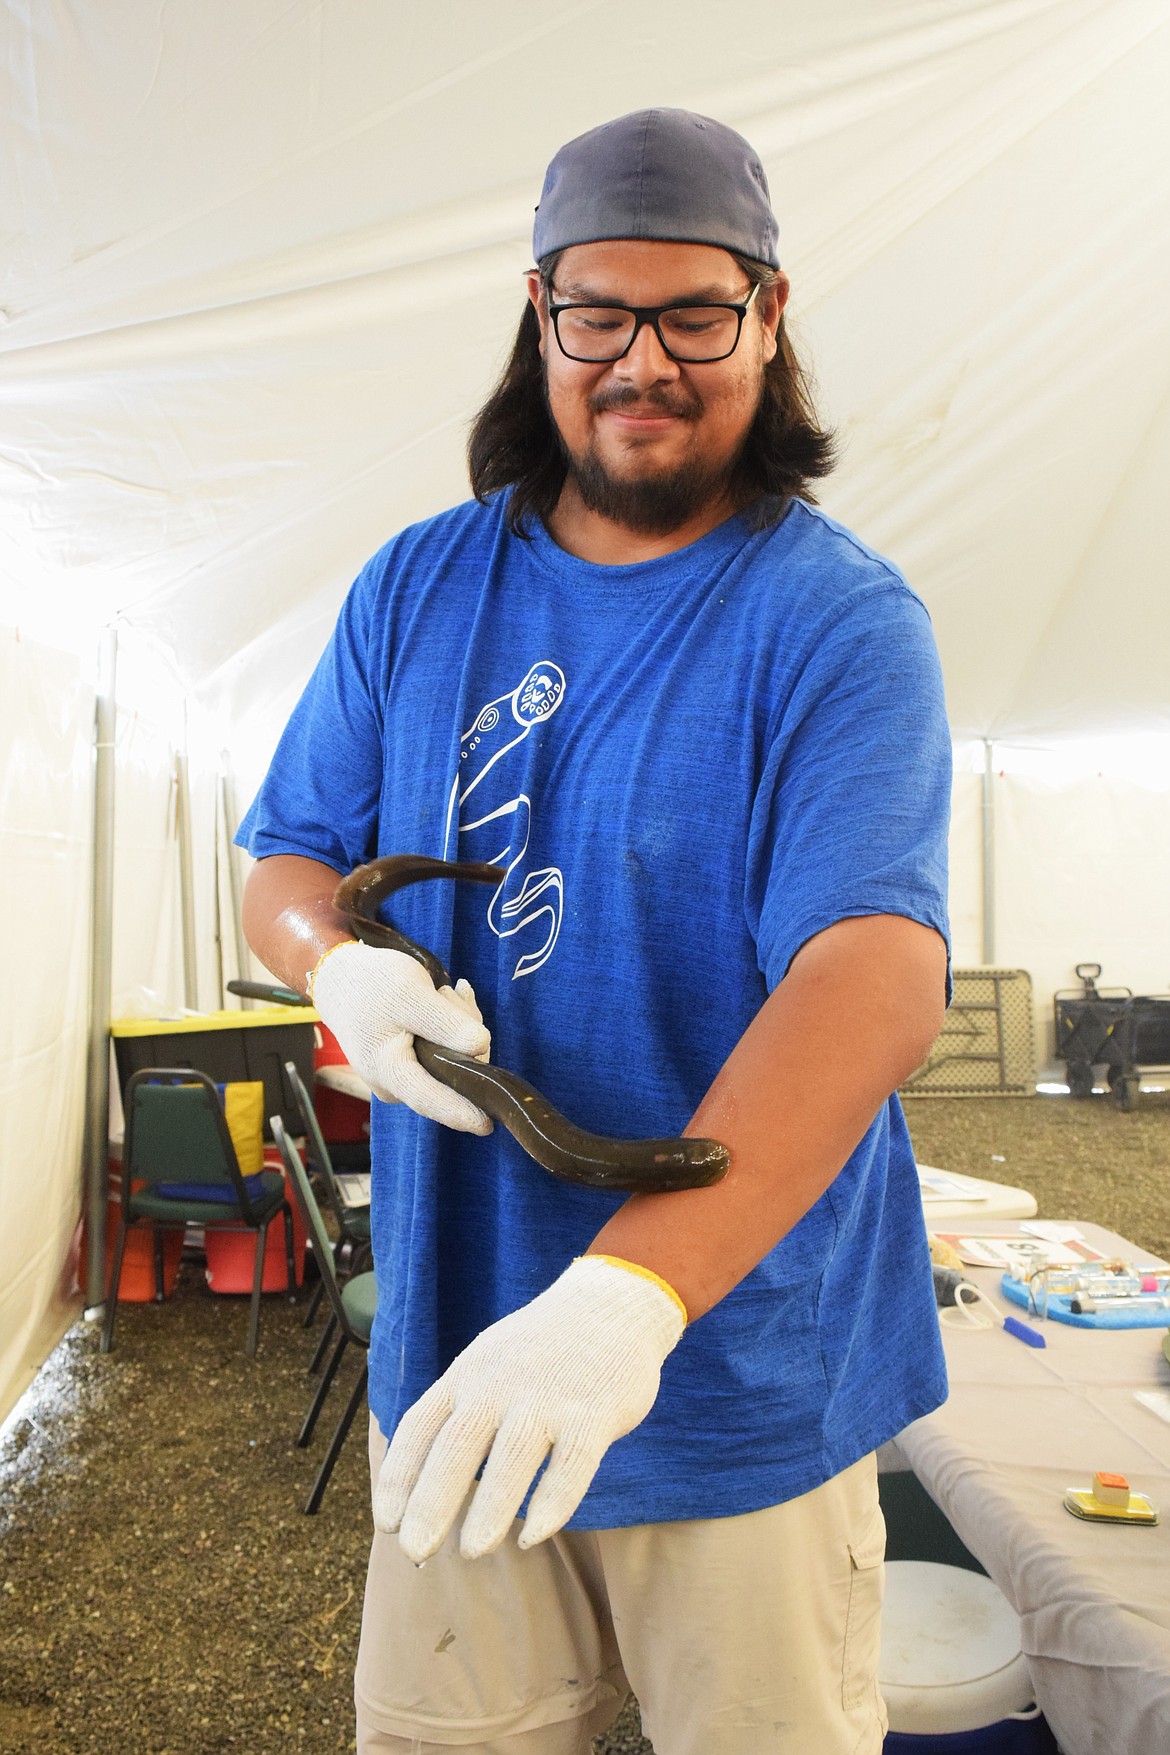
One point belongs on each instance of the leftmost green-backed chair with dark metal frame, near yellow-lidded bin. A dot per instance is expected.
(180, 1147)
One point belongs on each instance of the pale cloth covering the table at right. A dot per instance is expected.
(1018, 1429)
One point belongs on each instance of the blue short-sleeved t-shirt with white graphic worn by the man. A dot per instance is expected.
(688, 768)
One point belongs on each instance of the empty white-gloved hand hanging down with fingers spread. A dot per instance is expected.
(574, 1370)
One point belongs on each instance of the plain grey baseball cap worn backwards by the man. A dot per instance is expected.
(660, 175)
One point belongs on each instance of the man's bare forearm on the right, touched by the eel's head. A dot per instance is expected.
(852, 1021)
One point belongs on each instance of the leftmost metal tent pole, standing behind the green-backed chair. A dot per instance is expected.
(96, 1138)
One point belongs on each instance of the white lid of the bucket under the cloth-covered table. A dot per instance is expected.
(952, 1656)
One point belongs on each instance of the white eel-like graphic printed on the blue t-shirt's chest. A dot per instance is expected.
(501, 815)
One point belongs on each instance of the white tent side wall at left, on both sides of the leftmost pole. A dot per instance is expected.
(46, 812)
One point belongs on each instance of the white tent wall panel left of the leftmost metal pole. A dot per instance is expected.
(46, 750)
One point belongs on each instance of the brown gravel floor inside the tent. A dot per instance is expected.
(162, 1591)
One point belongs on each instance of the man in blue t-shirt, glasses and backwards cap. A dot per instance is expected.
(703, 731)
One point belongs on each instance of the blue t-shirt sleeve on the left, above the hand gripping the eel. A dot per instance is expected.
(322, 792)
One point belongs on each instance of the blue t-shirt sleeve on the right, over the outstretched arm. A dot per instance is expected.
(853, 810)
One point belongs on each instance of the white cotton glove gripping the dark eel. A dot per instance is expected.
(376, 1003)
